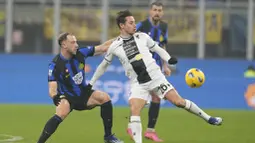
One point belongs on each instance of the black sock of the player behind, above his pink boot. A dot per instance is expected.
(153, 114)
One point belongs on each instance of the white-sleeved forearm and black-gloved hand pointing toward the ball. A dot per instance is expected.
(163, 54)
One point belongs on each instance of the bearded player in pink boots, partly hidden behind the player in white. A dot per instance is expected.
(158, 31)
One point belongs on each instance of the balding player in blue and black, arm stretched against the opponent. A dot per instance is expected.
(68, 88)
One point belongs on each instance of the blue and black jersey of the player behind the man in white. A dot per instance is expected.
(158, 33)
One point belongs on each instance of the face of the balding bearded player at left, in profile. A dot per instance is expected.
(71, 44)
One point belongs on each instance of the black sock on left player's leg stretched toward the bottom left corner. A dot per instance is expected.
(49, 128)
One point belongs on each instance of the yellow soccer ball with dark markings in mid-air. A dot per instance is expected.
(194, 78)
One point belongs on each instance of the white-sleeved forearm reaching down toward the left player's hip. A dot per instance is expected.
(99, 71)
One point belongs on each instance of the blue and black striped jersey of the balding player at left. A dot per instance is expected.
(70, 74)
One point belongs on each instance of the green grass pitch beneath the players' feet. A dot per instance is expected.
(174, 125)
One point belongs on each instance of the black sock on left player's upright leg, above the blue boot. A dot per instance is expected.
(106, 114)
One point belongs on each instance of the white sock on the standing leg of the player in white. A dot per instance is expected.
(136, 127)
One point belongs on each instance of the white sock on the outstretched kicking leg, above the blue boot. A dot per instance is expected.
(193, 108)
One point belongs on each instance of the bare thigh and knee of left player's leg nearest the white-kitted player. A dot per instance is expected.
(97, 98)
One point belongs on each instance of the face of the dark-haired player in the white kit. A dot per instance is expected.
(129, 26)
